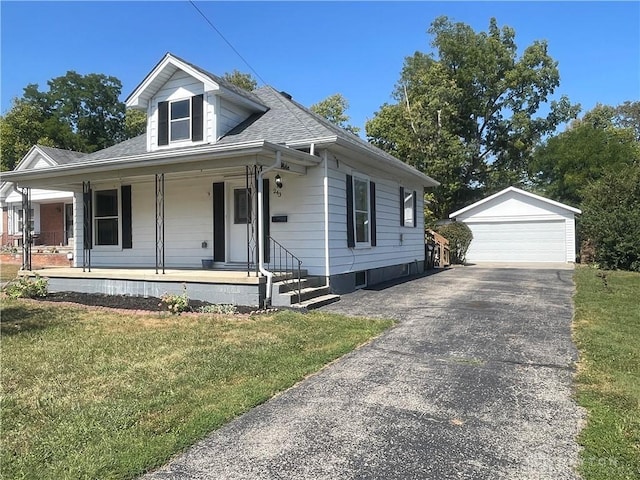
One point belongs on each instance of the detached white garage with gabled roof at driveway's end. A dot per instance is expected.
(515, 226)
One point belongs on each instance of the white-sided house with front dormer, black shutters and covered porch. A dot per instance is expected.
(236, 180)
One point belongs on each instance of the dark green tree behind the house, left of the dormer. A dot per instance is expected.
(77, 112)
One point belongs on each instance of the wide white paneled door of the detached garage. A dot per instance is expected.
(542, 241)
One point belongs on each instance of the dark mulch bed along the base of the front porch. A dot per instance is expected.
(123, 302)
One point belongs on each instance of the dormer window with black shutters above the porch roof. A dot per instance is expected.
(180, 120)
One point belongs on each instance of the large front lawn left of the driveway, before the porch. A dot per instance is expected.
(94, 394)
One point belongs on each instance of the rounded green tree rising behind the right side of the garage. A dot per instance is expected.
(564, 165)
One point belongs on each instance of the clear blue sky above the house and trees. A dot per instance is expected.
(310, 49)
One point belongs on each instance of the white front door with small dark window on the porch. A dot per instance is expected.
(240, 222)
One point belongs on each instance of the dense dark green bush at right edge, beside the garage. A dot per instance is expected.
(611, 218)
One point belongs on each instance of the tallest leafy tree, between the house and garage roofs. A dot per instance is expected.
(467, 114)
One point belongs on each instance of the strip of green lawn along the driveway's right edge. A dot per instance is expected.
(607, 333)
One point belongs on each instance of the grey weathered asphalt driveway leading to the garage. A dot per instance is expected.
(474, 382)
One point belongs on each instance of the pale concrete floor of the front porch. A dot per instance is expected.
(234, 277)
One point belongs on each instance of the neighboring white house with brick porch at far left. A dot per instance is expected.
(50, 216)
